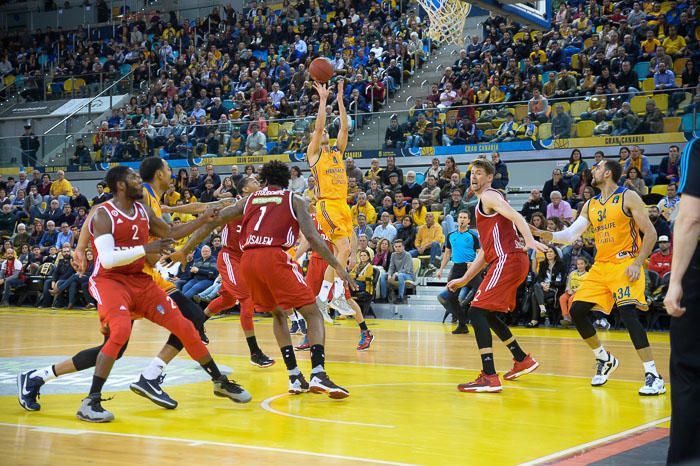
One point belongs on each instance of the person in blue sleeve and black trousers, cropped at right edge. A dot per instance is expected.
(683, 304)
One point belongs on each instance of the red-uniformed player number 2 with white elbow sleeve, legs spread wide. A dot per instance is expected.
(120, 230)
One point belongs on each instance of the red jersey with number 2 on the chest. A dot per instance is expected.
(128, 231)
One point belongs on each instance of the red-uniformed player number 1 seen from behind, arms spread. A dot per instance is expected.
(271, 222)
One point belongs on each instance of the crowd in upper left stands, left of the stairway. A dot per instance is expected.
(233, 83)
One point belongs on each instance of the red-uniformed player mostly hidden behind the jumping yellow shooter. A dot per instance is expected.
(314, 278)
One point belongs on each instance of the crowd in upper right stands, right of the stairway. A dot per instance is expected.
(611, 68)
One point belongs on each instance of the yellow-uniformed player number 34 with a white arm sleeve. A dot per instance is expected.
(617, 215)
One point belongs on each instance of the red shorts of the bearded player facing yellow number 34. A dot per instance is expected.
(497, 291)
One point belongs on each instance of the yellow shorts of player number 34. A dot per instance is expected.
(606, 285)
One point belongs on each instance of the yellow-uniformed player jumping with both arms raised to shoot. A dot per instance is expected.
(333, 212)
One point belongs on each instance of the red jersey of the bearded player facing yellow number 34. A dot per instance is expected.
(497, 234)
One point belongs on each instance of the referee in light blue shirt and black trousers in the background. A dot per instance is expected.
(461, 246)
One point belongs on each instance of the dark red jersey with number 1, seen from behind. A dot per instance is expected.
(269, 220)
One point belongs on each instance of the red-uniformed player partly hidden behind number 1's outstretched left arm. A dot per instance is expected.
(233, 286)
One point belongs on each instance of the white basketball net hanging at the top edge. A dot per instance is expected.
(447, 18)
